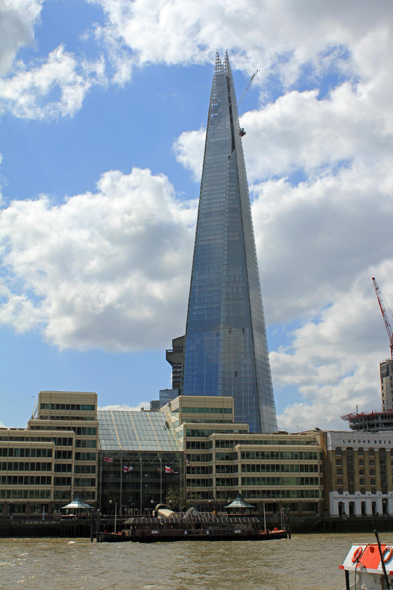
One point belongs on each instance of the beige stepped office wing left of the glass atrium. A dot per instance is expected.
(46, 464)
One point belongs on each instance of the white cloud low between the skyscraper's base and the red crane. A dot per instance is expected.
(334, 361)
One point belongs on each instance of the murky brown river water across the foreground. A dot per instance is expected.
(306, 562)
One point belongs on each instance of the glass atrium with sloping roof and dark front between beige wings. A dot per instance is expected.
(135, 449)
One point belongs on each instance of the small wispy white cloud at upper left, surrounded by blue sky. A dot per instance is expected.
(33, 93)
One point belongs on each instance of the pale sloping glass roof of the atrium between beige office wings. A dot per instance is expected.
(135, 431)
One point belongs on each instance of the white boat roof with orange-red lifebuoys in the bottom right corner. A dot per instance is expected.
(367, 558)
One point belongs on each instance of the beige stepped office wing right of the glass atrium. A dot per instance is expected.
(223, 458)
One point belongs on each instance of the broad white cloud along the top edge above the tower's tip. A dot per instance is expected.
(276, 37)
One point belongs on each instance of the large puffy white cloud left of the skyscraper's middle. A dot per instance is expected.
(107, 270)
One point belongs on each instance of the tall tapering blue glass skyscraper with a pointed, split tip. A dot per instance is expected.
(226, 349)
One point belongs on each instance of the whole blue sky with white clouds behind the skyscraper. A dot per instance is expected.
(103, 108)
